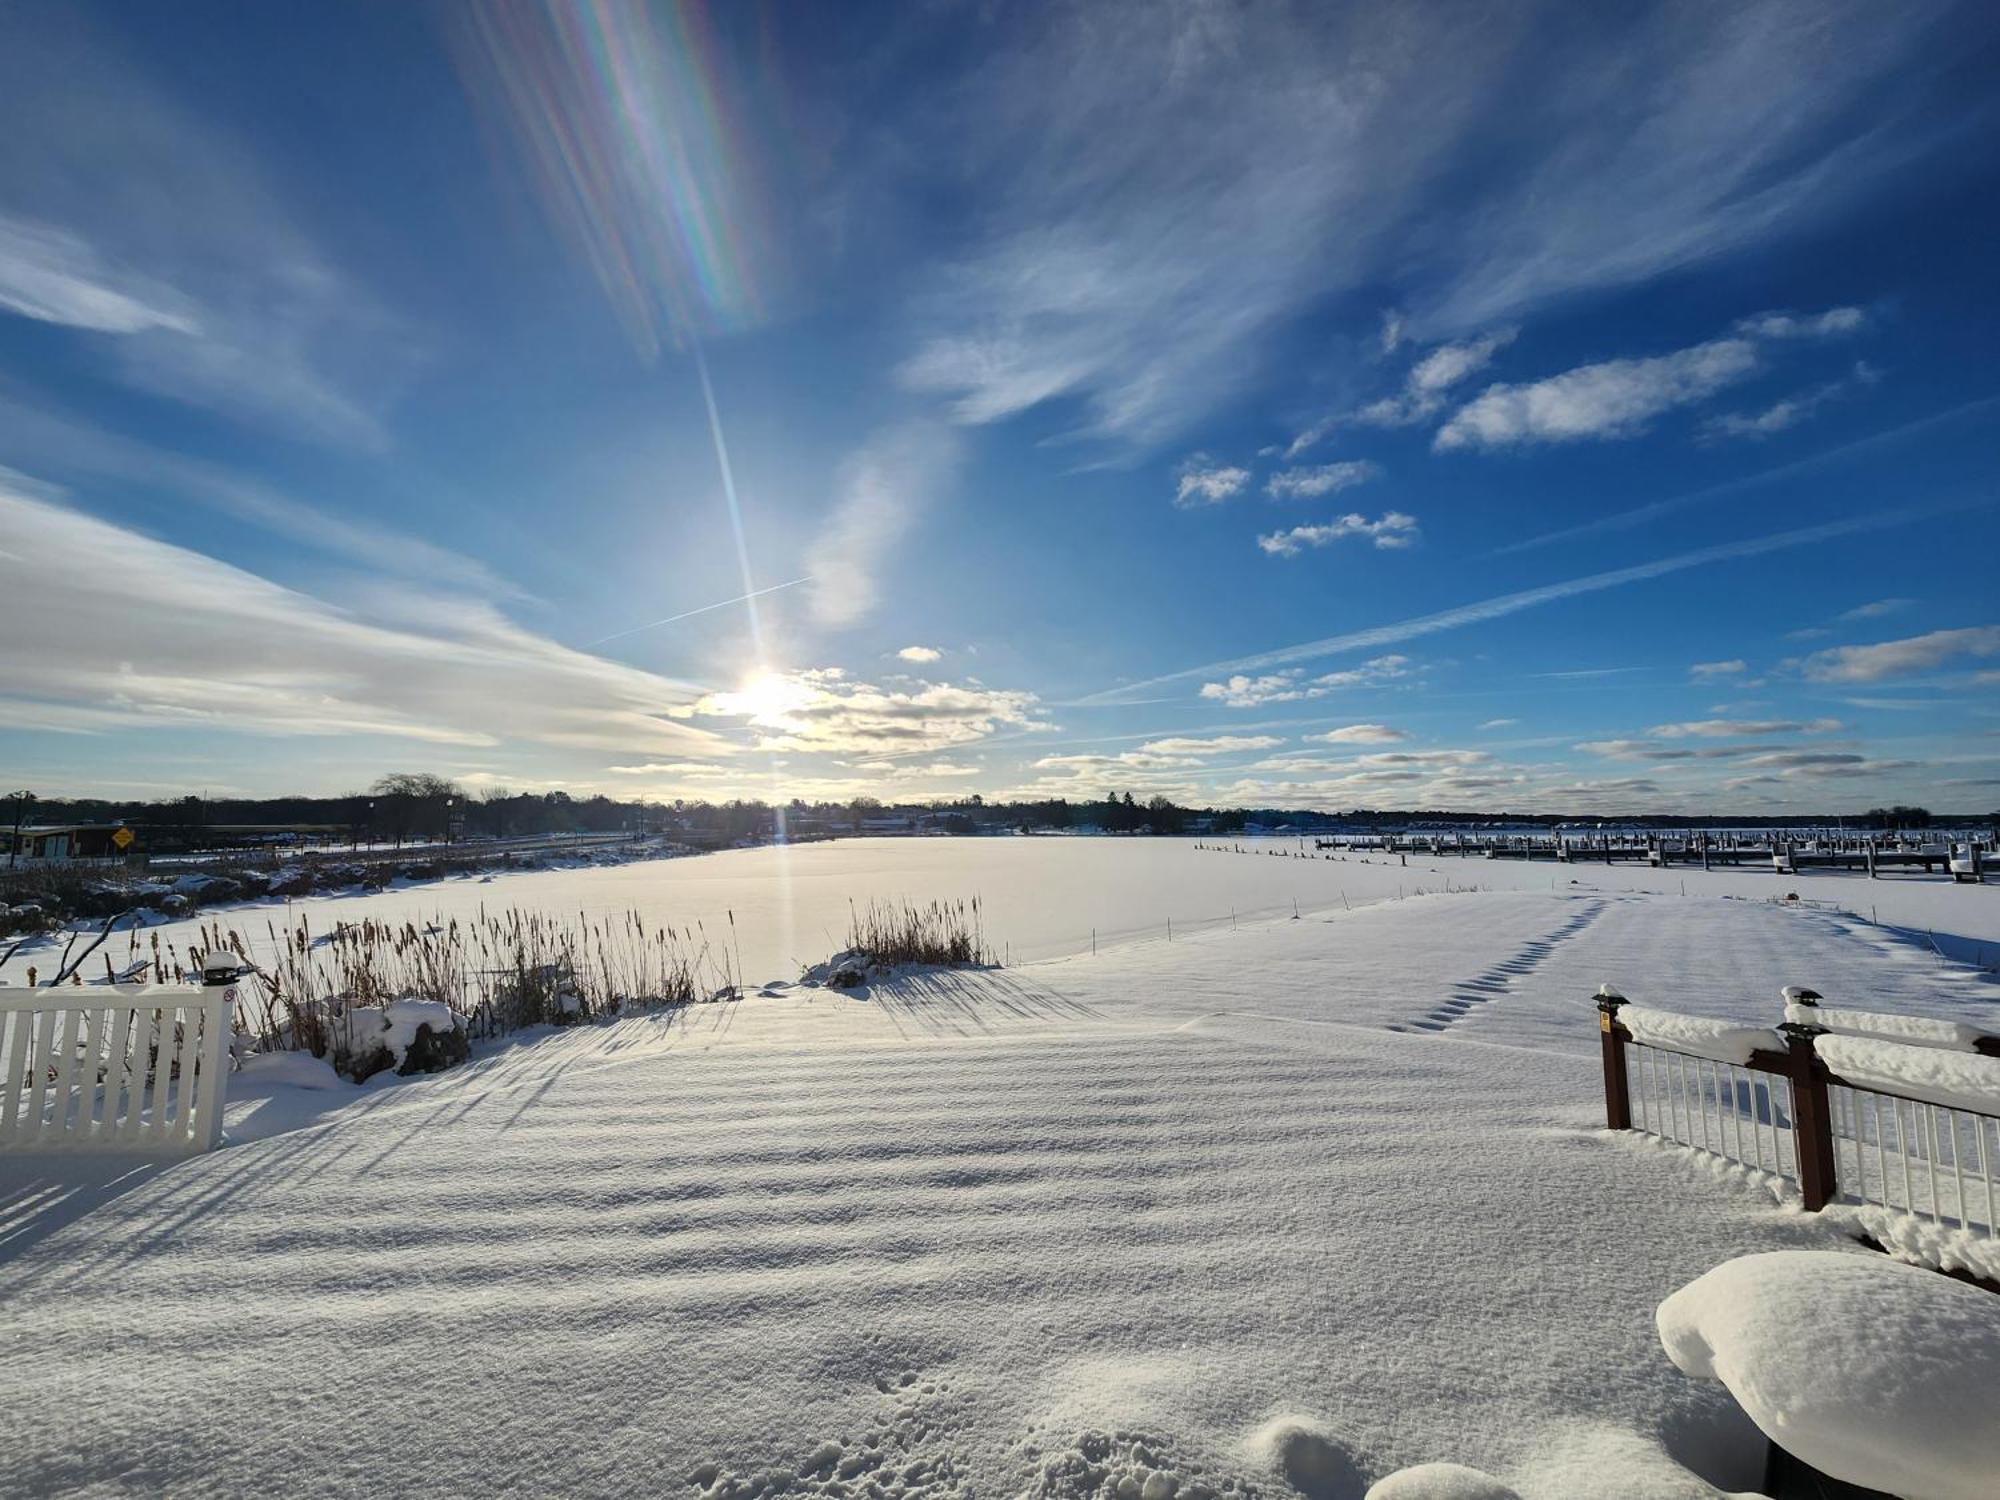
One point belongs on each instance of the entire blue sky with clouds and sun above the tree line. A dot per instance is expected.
(1491, 407)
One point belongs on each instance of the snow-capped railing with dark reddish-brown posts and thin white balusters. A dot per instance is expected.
(1855, 1107)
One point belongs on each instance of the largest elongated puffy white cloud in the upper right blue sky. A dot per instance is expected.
(1599, 401)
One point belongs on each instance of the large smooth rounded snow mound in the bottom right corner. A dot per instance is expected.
(1871, 1371)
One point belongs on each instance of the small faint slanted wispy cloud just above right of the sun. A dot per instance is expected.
(879, 493)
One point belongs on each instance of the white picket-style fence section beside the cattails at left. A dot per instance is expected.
(117, 1067)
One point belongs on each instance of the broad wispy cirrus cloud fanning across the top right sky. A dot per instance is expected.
(1273, 159)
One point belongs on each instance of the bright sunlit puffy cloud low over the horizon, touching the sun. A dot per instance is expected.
(823, 709)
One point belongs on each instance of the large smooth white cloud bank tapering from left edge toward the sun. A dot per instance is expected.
(115, 631)
